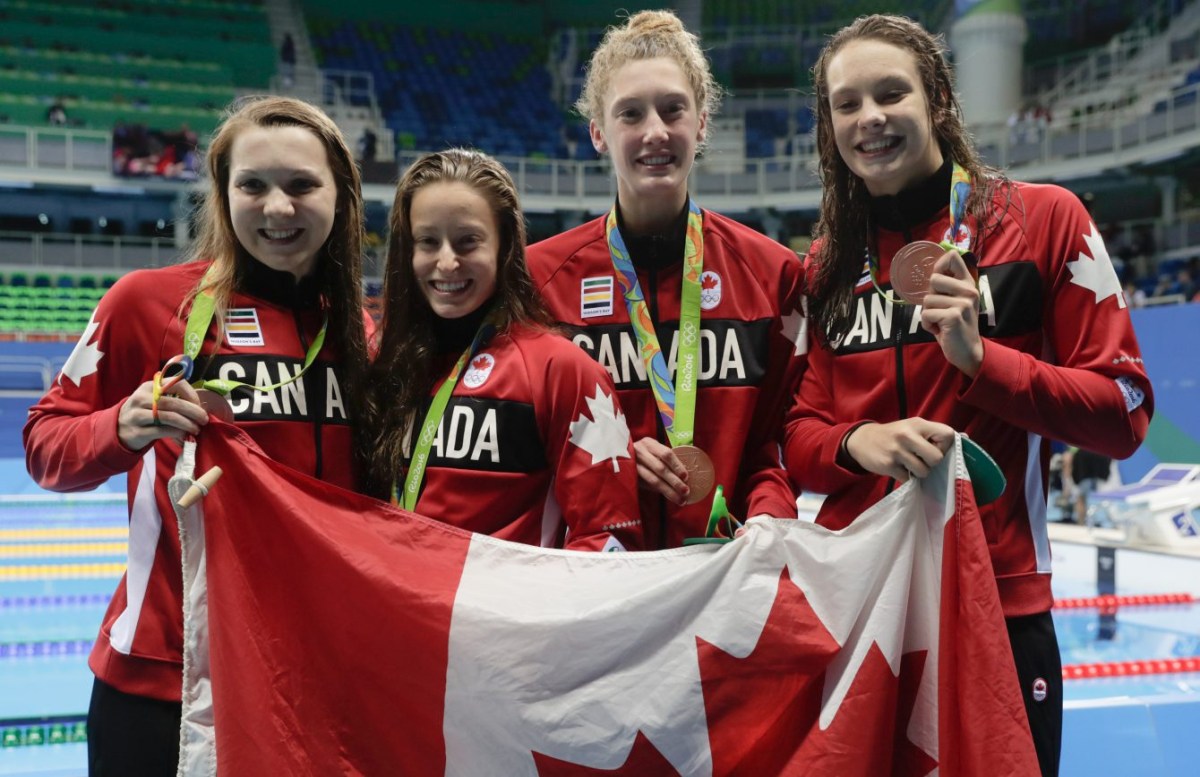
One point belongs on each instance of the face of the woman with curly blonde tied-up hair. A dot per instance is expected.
(651, 128)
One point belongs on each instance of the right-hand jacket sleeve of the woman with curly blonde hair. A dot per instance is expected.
(765, 480)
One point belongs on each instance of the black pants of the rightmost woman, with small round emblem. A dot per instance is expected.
(1040, 672)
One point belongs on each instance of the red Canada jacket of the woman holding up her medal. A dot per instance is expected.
(1061, 363)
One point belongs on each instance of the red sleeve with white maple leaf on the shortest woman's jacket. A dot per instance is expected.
(592, 454)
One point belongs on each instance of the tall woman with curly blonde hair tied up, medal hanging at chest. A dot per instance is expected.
(659, 282)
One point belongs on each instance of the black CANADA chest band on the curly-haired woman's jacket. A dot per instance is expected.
(731, 354)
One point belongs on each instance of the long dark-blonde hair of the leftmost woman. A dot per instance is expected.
(339, 266)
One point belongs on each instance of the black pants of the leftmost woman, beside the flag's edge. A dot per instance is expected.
(131, 736)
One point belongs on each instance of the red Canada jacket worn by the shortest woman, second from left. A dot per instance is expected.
(533, 448)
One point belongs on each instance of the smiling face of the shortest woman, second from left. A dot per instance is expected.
(455, 248)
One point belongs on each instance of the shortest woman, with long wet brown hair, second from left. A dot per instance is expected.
(481, 415)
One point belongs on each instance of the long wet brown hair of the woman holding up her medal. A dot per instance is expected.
(845, 203)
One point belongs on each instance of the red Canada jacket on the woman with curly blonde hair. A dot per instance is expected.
(752, 353)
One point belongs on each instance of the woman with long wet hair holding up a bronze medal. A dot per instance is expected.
(946, 298)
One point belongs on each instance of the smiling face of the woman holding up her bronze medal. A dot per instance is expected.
(881, 117)
